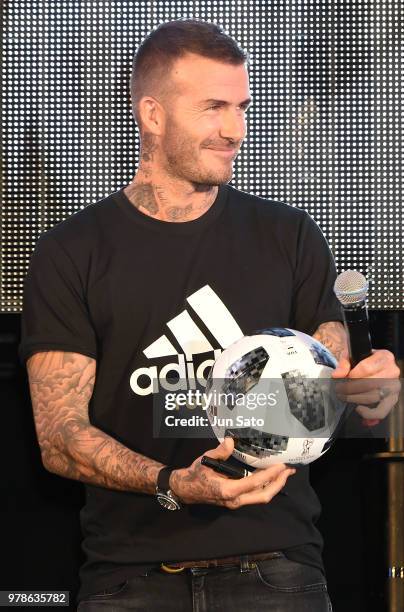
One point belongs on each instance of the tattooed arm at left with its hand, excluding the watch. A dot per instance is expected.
(61, 386)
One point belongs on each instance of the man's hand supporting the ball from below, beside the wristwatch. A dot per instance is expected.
(199, 484)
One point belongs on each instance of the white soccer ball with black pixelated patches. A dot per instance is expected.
(273, 393)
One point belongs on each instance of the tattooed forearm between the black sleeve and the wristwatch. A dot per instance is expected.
(61, 385)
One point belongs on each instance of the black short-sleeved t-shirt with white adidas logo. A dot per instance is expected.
(137, 294)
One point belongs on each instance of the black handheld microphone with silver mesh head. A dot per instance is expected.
(351, 289)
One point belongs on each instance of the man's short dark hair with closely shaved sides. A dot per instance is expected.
(170, 41)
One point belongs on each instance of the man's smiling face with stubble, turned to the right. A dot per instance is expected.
(205, 113)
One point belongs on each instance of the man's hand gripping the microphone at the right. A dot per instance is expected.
(373, 380)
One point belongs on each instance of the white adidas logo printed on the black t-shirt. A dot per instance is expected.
(184, 331)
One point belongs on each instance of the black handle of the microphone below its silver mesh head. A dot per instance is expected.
(357, 327)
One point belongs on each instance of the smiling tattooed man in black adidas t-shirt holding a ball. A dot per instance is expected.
(159, 277)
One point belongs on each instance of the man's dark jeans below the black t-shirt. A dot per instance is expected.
(276, 585)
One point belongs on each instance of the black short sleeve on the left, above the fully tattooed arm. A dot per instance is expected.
(55, 315)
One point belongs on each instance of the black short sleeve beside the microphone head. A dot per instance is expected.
(314, 300)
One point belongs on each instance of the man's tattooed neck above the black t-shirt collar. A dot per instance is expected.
(157, 197)
